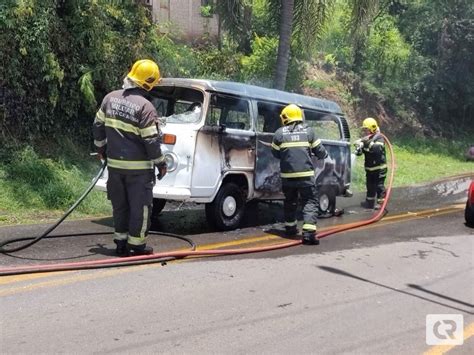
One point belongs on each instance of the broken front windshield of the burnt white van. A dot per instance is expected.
(178, 105)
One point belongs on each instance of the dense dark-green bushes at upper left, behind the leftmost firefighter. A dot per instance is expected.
(64, 56)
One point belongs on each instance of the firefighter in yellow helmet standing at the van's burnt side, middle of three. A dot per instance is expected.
(293, 144)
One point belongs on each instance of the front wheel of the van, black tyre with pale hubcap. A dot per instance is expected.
(227, 209)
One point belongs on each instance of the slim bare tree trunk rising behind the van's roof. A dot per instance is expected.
(284, 44)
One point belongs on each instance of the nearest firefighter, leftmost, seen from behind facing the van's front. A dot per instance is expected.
(126, 134)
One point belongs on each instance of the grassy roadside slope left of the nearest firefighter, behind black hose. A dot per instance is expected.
(38, 189)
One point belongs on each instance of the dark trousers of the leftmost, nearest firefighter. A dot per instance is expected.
(132, 198)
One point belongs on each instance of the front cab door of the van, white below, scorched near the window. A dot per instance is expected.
(226, 143)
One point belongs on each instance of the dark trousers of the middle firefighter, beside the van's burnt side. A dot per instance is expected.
(309, 201)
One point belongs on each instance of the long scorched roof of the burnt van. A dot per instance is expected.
(257, 92)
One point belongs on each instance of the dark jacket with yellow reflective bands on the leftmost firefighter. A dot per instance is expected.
(126, 124)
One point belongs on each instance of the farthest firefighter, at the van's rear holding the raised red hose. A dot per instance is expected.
(372, 145)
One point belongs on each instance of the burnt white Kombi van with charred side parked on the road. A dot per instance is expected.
(217, 138)
